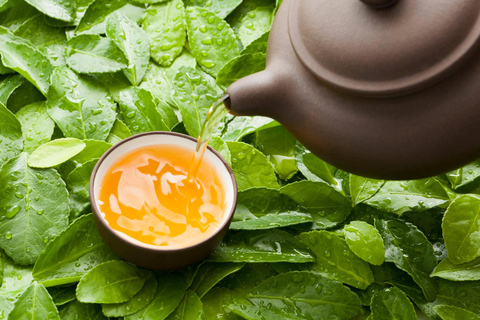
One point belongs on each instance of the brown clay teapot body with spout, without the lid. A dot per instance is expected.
(414, 135)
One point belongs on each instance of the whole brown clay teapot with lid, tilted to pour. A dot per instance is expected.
(380, 88)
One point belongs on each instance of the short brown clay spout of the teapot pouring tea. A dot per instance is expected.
(253, 95)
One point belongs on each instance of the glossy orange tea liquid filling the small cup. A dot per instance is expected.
(146, 194)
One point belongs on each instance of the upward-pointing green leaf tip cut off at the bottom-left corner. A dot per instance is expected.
(34, 303)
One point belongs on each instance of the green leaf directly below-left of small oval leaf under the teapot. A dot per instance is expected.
(335, 260)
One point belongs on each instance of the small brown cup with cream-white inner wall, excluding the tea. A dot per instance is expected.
(147, 255)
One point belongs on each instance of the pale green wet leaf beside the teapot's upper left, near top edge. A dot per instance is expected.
(255, 24)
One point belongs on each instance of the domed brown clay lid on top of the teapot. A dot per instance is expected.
(383, 48)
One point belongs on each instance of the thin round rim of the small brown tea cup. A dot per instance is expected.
(93, 176)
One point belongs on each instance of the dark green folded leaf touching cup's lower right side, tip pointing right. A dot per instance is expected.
(263, 208)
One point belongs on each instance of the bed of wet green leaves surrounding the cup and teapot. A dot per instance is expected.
(308, 241)
